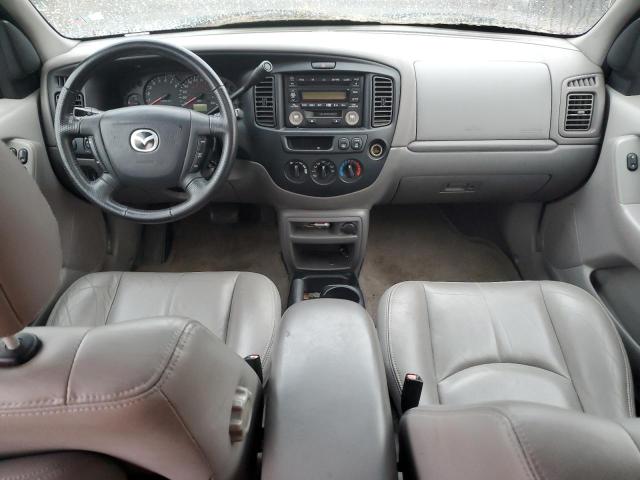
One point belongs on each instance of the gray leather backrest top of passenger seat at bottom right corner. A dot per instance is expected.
(517, 441)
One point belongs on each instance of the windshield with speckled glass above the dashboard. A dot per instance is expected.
(97, 18)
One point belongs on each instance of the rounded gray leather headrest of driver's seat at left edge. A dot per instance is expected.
(30, 252)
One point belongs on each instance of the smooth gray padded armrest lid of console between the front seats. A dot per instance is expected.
(328, 413)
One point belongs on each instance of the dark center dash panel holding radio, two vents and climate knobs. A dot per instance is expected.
(324, 128)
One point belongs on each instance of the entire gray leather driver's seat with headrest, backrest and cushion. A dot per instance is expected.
(165, 394)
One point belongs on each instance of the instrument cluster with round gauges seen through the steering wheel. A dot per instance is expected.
(175, 89)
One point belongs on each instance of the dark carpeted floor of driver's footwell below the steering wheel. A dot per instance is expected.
(199, 246)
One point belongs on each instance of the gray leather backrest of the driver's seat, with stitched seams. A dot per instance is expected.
(157, 393)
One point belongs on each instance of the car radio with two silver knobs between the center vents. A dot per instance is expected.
(324, 100)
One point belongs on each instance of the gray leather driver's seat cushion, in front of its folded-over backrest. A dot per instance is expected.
(242, 309)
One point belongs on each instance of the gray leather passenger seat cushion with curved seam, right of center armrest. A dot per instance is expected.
(542, 342)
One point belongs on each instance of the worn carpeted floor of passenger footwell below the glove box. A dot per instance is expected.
(419, 243)
